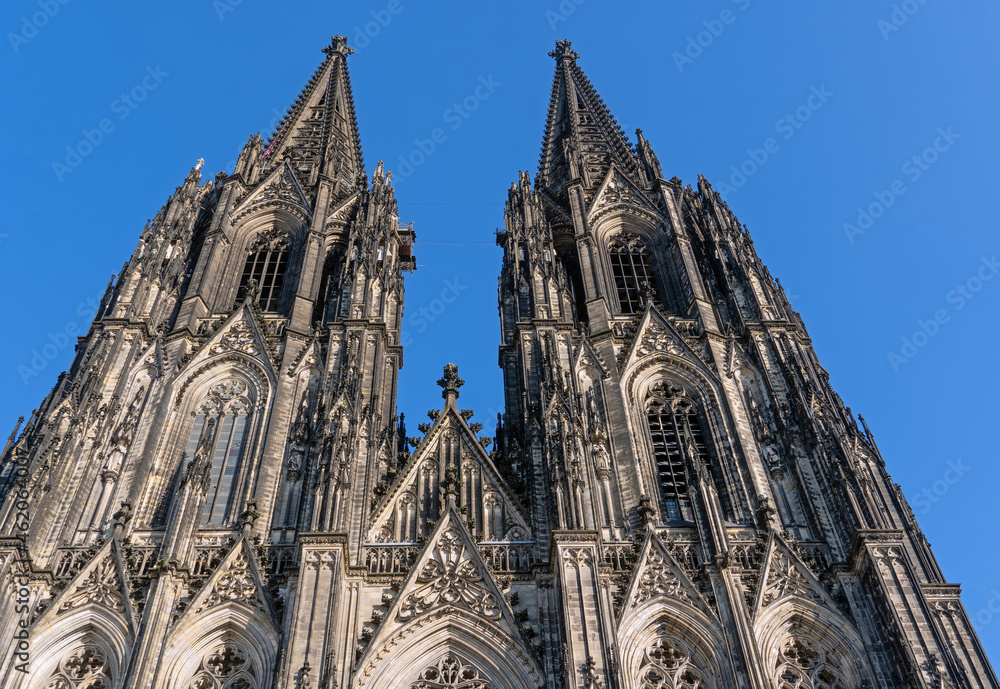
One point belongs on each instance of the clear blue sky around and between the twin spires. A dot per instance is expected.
(715, 86)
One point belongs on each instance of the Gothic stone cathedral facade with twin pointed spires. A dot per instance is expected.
(220, 494)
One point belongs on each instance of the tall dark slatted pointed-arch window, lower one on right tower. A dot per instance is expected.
(675, 433)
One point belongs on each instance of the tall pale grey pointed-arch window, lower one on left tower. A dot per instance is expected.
(220, 424)
